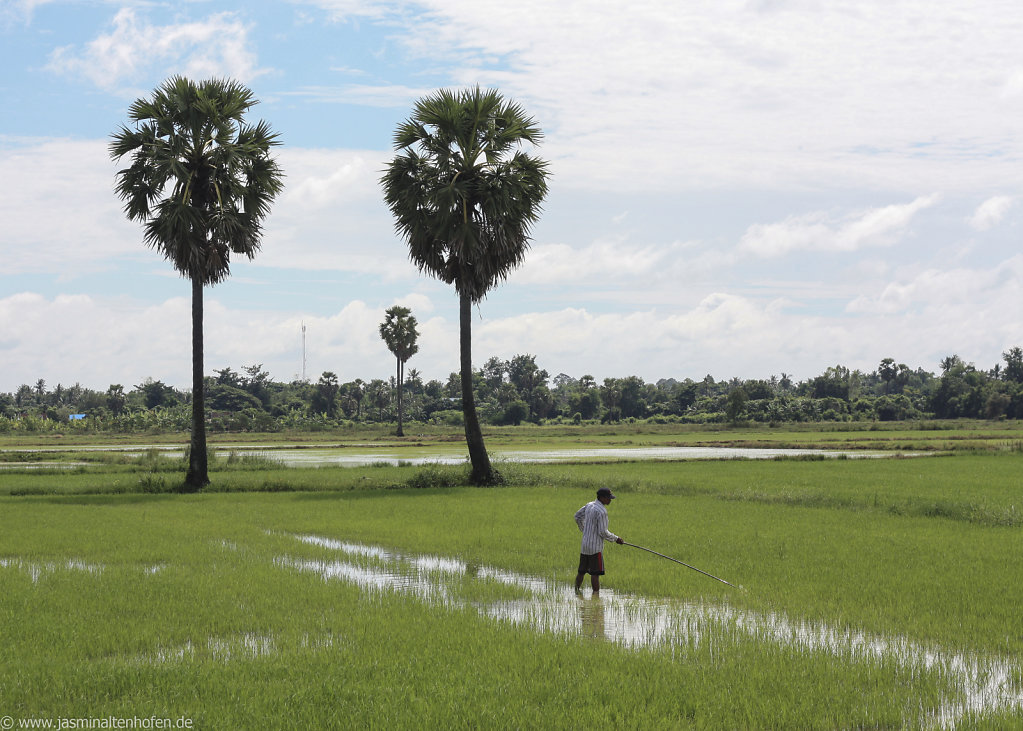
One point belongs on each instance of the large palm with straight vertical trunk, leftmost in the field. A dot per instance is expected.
(201, 181)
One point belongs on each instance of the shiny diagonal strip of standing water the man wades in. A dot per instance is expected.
(984, 684)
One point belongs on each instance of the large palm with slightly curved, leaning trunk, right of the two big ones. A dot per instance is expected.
(465, 198)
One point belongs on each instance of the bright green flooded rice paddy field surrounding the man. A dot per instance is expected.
(875, 593)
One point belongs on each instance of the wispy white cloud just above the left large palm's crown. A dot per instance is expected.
(135, 50)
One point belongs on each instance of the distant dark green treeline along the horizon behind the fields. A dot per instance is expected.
(519, 391)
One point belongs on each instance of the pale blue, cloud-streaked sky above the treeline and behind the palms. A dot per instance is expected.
(740, 189)
